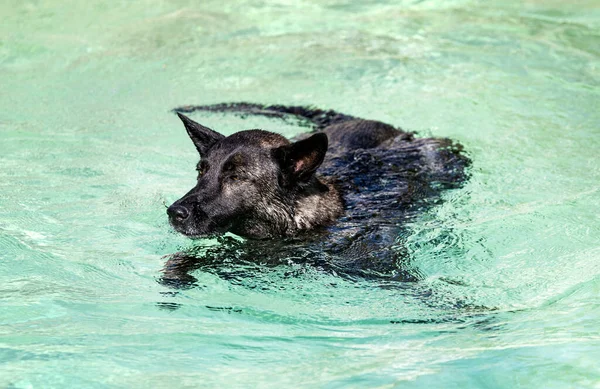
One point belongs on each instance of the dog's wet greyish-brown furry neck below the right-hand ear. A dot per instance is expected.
(316, 205)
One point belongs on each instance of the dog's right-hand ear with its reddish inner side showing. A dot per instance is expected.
(301, 159)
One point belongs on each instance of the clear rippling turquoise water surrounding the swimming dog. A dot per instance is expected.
(89, 155)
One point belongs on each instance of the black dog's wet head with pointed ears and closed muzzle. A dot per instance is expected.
(247, 182)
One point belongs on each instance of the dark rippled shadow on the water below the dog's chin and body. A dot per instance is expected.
(234, 260)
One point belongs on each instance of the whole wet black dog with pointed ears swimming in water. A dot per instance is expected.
(256, 184)
